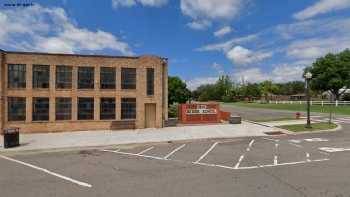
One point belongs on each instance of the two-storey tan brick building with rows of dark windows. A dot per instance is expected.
(42, 92)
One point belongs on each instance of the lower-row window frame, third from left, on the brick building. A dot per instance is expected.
(63, 113)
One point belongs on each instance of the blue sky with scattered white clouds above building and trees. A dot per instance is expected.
(249, 40)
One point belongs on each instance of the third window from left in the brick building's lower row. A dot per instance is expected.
(63, 108)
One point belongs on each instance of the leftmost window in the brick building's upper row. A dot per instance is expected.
(16, 76)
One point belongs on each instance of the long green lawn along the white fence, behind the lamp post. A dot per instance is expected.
(342, 109)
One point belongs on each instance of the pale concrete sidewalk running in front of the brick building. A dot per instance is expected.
(108, 138)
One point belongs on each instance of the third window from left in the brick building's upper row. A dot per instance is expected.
(64, 77)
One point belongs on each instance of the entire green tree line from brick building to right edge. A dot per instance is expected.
(331, 73)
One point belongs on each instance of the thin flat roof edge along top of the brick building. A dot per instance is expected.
(76, 55)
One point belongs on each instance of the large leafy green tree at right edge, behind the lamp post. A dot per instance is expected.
(331, 73)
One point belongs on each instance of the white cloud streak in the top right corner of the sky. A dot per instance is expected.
(322, 7)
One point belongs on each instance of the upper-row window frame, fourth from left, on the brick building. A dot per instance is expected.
(80, 81)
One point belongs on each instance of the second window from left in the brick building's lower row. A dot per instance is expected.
(41, 108)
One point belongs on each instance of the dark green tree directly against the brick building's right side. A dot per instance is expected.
(177, 91)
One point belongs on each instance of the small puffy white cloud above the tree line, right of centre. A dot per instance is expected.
(240, 55)
